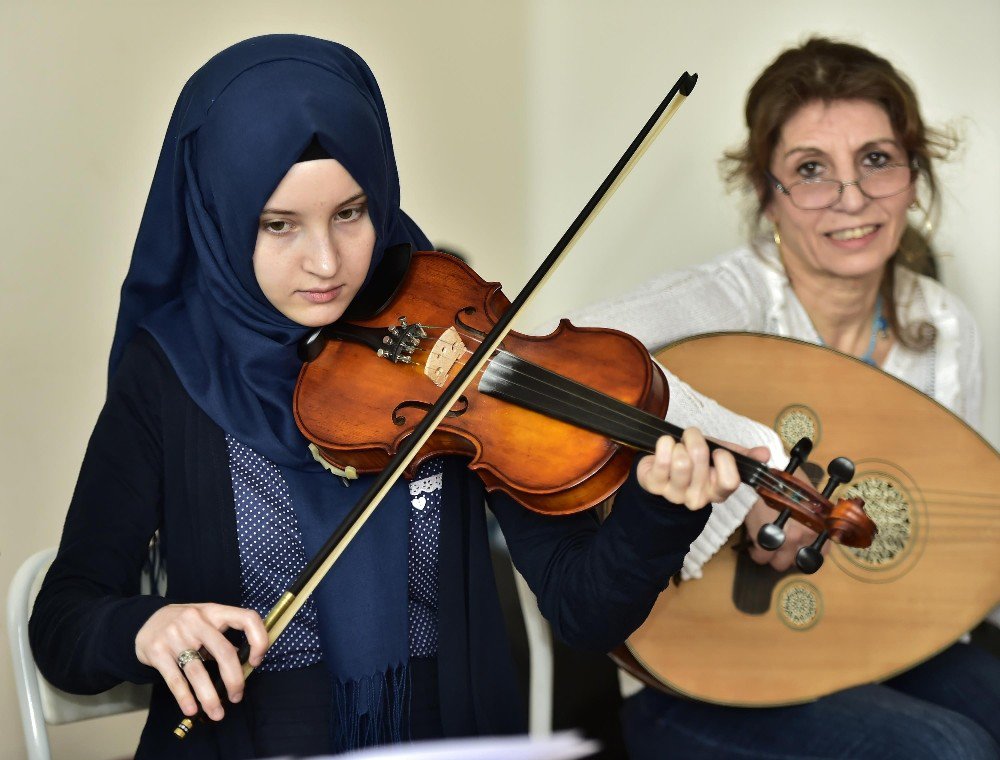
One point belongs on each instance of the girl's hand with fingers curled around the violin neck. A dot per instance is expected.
(686, 472)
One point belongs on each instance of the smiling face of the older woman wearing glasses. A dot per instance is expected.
(856, 236)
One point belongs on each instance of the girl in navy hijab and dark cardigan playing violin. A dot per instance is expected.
(274, 199)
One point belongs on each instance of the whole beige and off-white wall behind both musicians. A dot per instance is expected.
(505, 115)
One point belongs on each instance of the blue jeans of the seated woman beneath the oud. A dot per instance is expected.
(948, 708)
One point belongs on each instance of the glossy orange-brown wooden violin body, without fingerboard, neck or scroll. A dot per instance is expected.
(358, 407)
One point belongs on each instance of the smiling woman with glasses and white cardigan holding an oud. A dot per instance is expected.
(837, 156)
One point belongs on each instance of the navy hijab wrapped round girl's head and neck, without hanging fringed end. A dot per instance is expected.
(240, 123)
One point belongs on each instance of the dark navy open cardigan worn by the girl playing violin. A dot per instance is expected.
(156, 461)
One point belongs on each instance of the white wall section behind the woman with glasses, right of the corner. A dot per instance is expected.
(597, 70)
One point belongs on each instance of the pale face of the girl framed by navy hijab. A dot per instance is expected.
(314, 243)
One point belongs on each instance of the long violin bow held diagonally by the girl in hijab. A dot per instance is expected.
(281, 614)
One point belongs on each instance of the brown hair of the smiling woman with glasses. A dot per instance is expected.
(827, 70)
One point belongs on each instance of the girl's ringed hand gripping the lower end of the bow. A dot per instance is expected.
(177, 627)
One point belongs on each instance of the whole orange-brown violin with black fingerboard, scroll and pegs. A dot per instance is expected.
(553, 421)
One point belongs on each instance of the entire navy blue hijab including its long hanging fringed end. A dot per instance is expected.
(240, 123)
